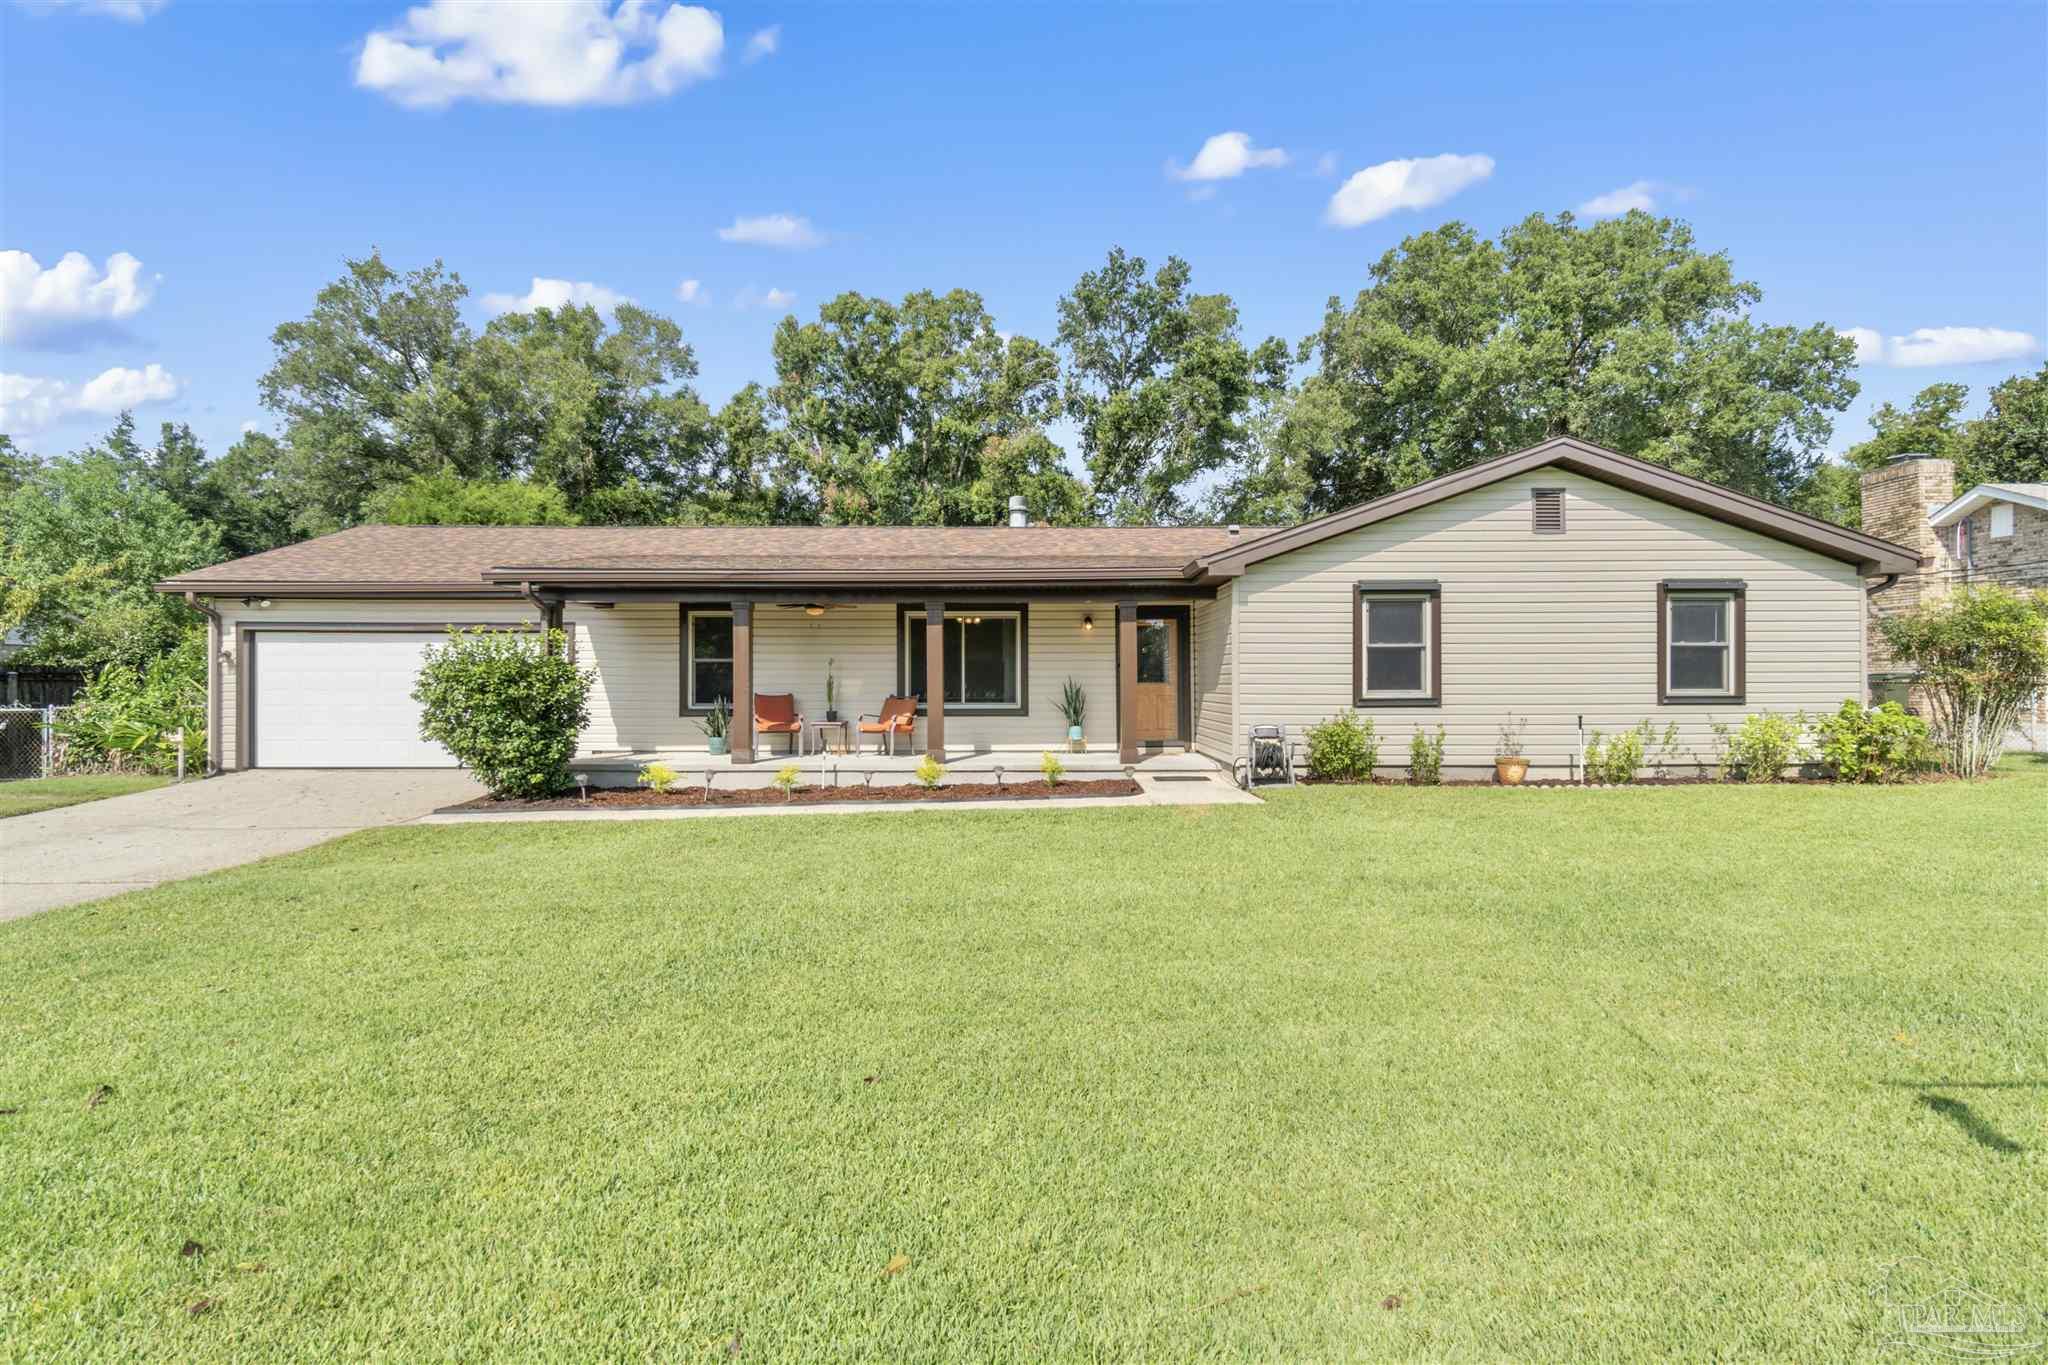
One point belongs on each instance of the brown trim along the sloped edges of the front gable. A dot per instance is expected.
(1869, 554)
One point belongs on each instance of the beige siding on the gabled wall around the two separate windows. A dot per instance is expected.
(1549, 627)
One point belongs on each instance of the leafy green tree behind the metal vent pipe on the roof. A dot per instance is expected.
(892, 412)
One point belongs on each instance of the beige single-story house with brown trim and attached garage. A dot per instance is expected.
(1566, 586)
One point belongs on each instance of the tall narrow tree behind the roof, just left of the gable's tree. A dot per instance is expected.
(1158, 384)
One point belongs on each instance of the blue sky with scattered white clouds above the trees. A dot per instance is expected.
(1871, 169)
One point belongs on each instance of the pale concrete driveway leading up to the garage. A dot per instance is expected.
(175, 832)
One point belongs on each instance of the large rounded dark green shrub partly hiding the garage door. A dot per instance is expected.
(507, 705)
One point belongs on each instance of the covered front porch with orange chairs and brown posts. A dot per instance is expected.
(974, 678)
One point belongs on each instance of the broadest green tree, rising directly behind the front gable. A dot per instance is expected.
(1623, 335)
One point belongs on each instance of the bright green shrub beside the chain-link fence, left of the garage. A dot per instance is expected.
(126, 715)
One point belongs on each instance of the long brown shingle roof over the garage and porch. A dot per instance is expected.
(468, 556)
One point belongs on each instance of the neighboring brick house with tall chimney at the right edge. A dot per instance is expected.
(1998, 533)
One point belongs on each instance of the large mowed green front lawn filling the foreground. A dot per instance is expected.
(1357, 1075)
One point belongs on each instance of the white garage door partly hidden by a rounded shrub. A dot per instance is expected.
(341, 699)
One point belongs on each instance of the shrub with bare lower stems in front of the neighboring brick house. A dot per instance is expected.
(1981, 656)
